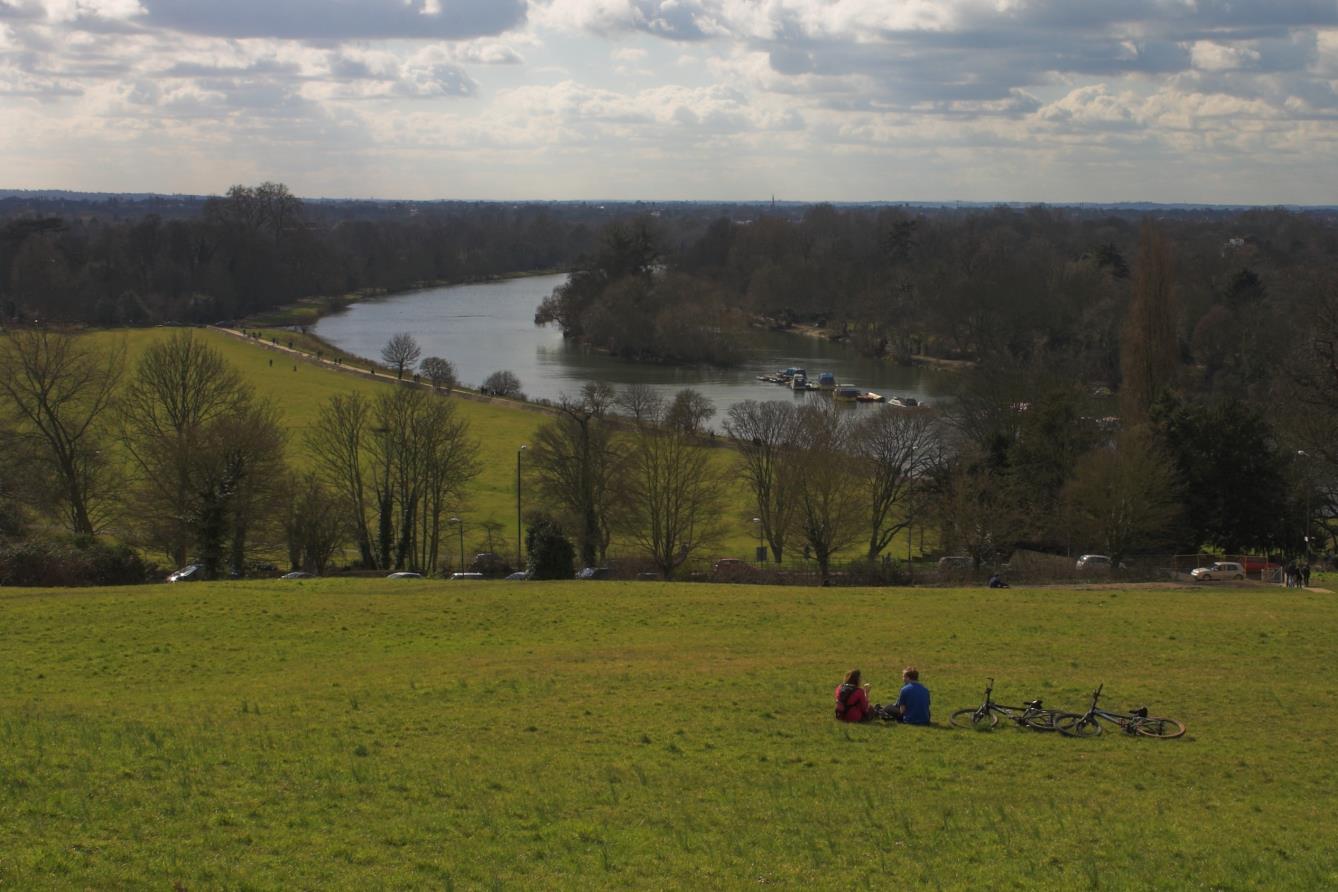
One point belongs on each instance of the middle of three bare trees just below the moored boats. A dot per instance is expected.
(830, 502)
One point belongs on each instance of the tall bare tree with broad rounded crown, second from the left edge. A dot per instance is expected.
(180, 390)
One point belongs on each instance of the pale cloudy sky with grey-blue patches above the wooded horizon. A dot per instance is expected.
(1038, 101)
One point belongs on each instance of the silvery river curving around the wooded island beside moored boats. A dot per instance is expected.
(486, 328)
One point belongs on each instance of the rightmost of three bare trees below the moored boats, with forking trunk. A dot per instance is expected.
(897, 447)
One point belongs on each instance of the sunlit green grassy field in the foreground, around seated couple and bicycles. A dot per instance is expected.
(379, 735)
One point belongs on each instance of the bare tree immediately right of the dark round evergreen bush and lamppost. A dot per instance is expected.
(575, 462)
